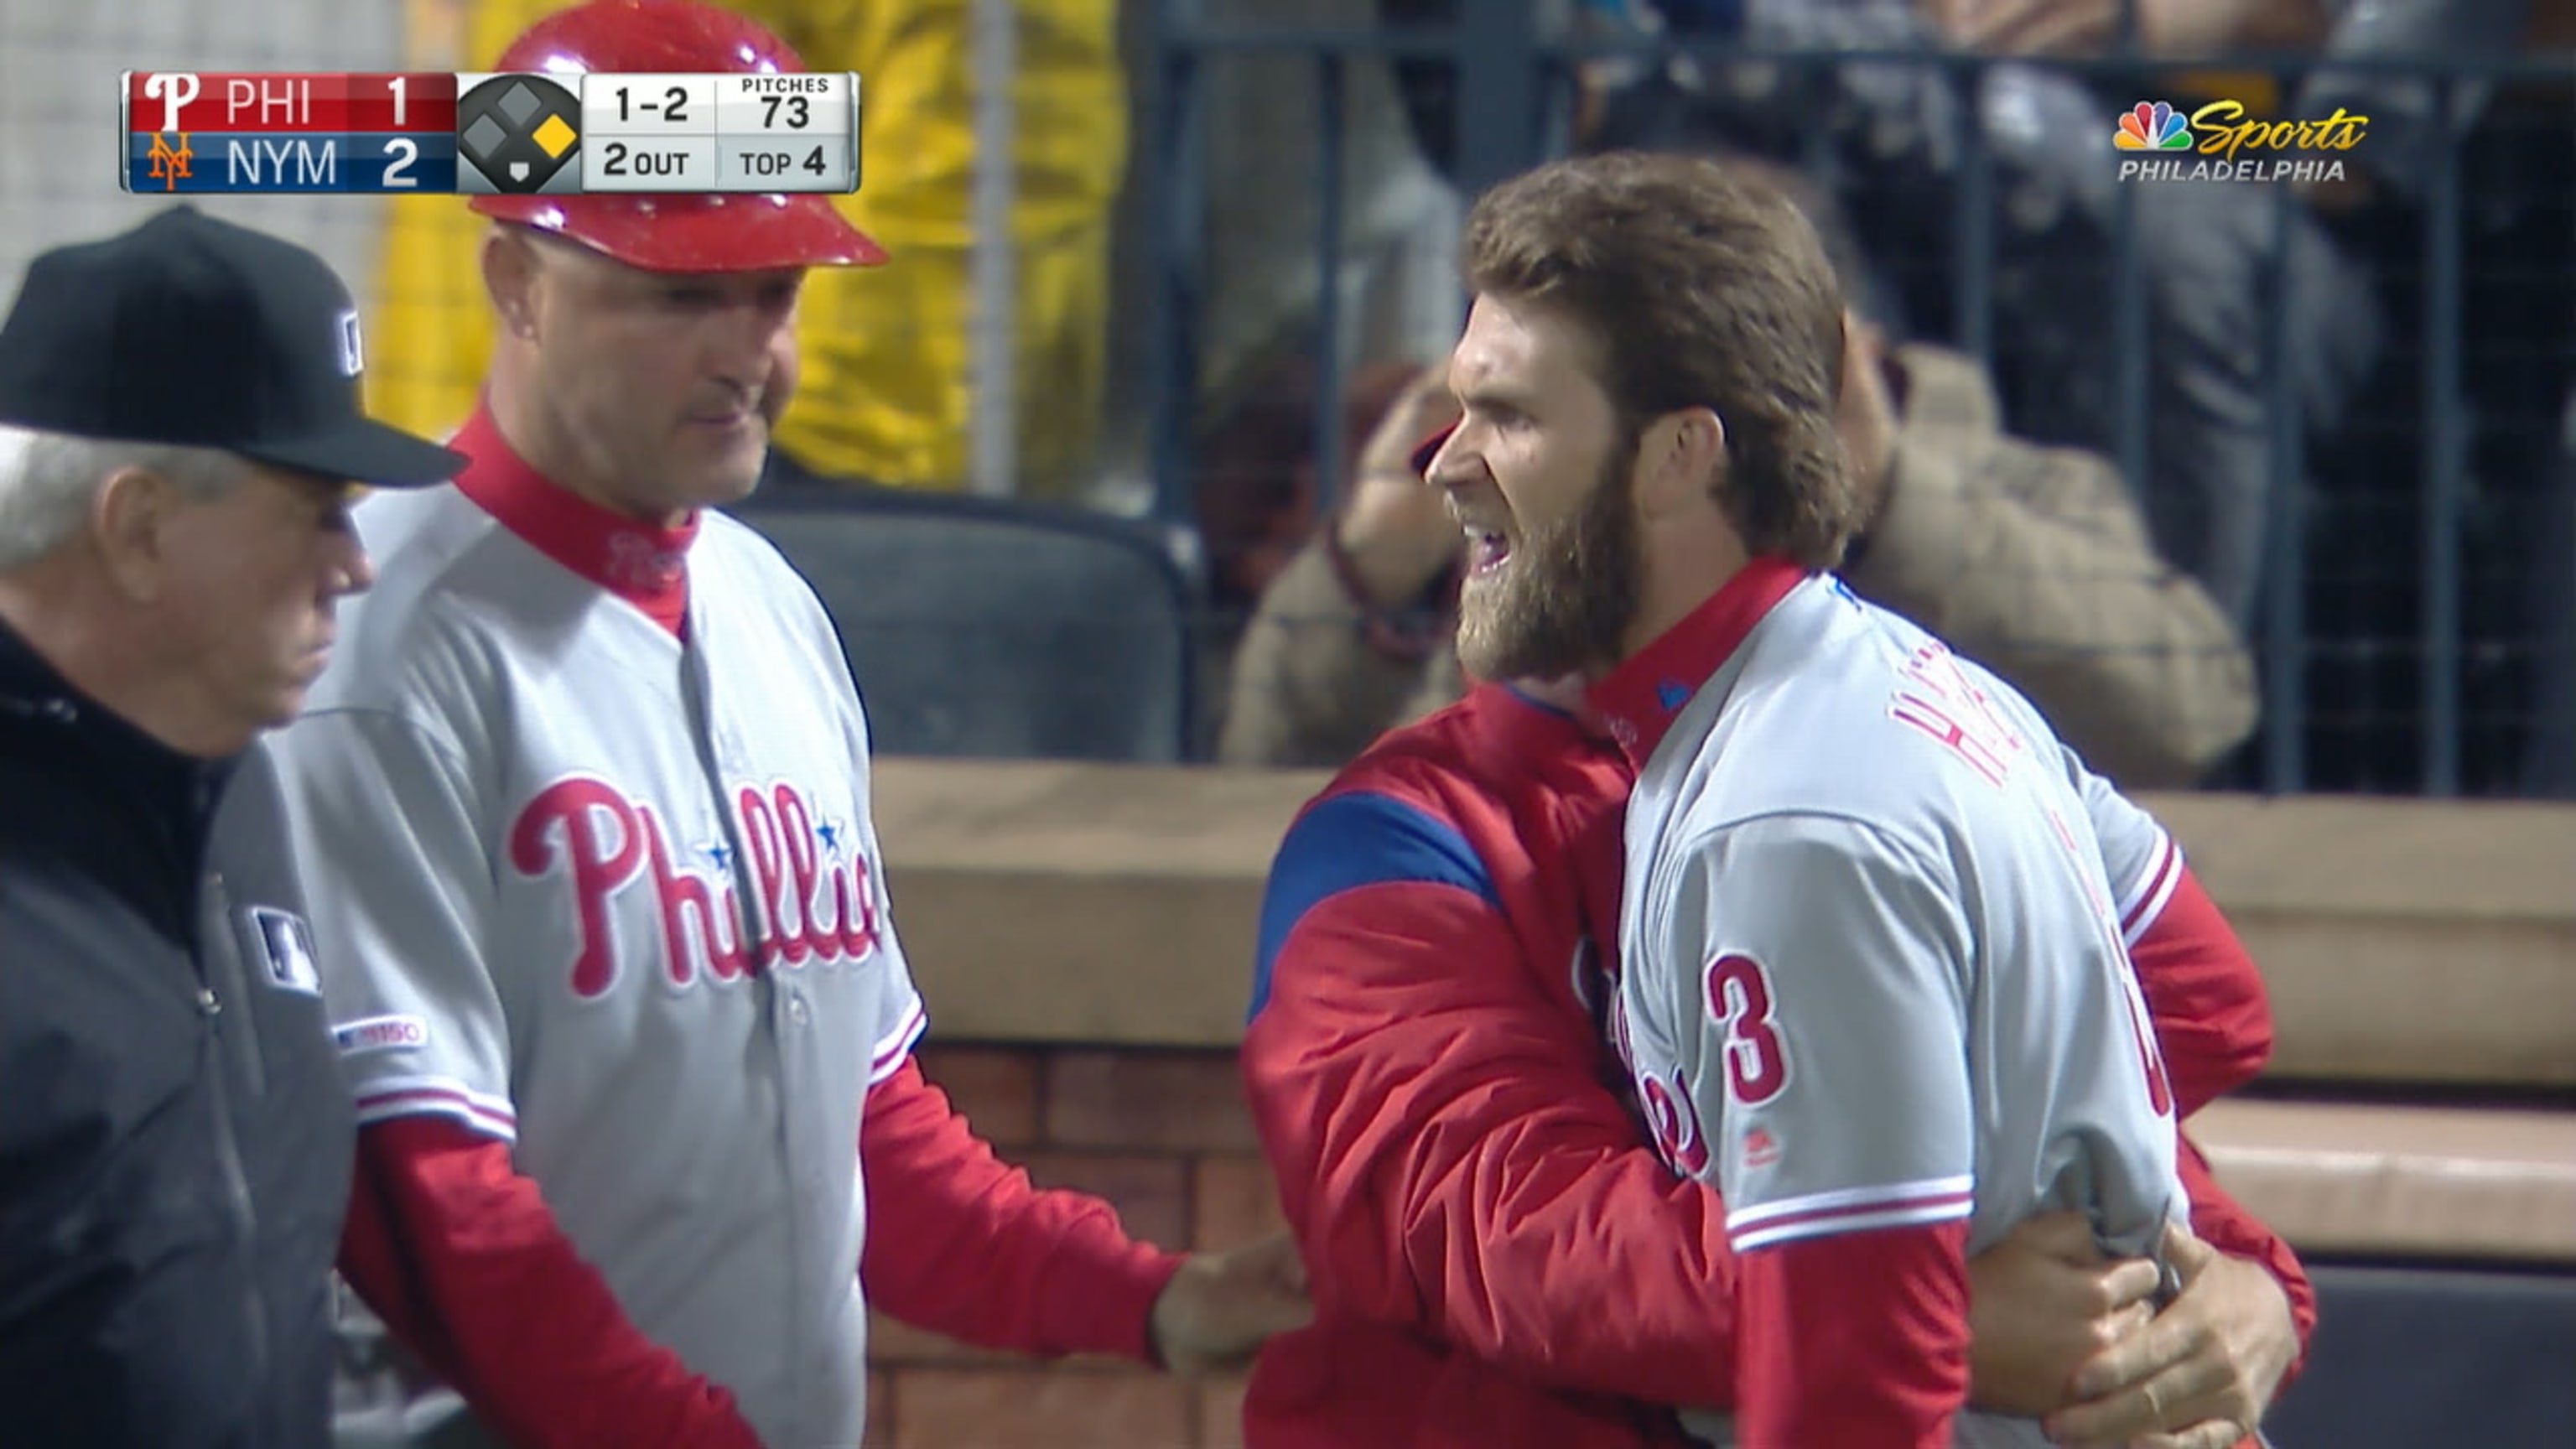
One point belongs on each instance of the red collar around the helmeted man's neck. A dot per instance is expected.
(640, 563)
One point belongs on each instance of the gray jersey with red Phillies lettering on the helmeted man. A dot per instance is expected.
(535, 829)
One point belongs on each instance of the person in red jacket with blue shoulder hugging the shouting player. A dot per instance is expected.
(1462, 1151)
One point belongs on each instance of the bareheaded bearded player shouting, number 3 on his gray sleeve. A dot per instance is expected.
(1874, 945)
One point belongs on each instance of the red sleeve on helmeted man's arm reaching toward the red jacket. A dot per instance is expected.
(965, 1247)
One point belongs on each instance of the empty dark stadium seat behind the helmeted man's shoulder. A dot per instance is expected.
(996, 630)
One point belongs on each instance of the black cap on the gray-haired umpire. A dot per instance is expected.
(205, 334)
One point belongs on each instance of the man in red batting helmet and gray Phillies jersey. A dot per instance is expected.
(612, 955)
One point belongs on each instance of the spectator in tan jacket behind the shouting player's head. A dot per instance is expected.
(2029, 561)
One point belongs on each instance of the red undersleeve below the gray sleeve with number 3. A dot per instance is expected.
(1856, 1339)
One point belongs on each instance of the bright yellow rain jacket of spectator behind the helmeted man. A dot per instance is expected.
(887, 385)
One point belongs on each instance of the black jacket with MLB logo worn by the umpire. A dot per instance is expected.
(174, 1131)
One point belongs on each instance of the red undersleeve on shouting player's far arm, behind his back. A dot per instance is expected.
(2206, 999)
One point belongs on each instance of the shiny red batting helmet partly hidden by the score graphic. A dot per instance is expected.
(676, 233)
